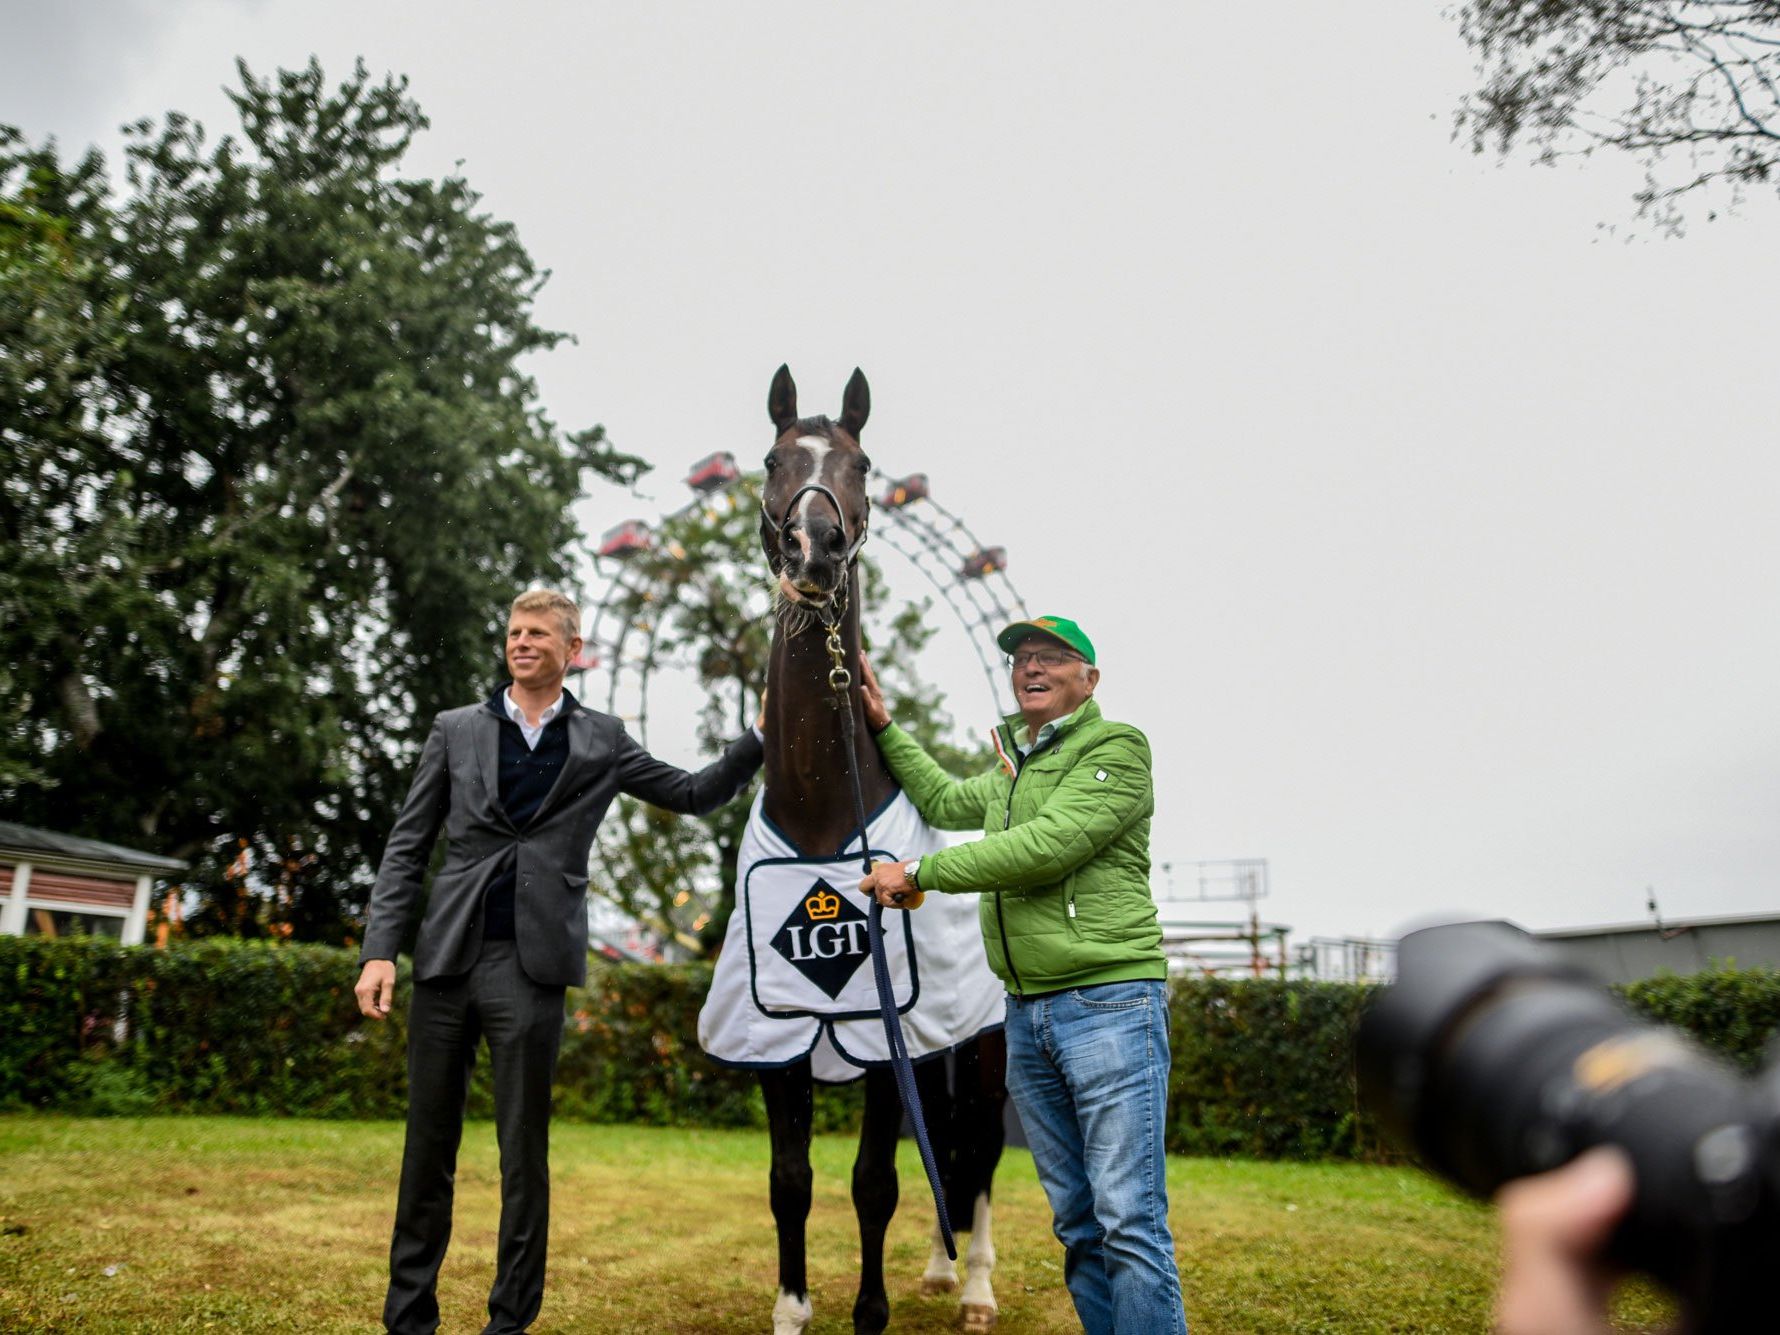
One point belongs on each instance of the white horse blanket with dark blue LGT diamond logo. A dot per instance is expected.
(797, 980)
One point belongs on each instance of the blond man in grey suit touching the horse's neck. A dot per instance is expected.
(519, 786)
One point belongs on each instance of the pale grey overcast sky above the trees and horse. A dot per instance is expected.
(1423, 524)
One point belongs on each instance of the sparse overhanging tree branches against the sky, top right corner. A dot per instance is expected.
(1690, 88)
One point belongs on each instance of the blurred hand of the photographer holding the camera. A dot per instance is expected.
(1555, 1231)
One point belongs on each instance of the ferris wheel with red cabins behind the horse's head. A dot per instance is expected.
(643, 569)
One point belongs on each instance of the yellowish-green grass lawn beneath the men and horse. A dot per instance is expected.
(222, 1224)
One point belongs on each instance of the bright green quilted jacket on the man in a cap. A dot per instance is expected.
(1065, 861)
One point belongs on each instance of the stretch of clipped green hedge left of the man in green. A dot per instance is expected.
(227, 1026)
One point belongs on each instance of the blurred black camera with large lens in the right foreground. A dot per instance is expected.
(1494, 1058)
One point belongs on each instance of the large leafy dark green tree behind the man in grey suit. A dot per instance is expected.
(271, 471)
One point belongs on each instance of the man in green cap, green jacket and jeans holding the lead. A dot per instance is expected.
(1064, 875)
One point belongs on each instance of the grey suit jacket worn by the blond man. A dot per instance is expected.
(457, 789)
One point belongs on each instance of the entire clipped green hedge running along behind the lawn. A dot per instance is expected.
(1259, 1069)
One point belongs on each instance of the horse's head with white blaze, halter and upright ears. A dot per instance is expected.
(814, 506)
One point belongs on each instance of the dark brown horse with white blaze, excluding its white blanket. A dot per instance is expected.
(814, 521)
